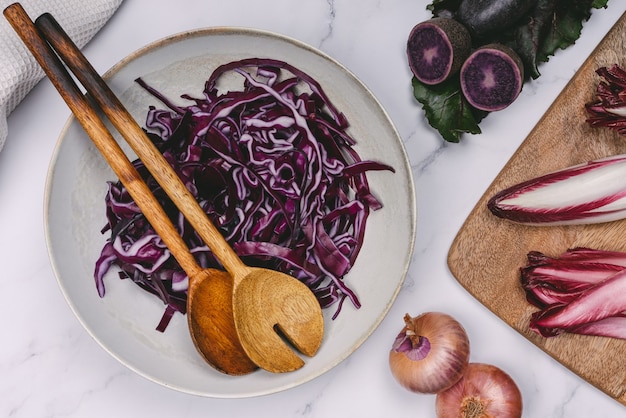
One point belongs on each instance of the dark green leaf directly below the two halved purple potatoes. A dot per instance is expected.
(447, 110)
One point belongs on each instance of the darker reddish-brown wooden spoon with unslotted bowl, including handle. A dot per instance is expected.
(209, 307)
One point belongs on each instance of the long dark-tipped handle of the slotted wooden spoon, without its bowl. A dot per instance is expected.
(139, 142)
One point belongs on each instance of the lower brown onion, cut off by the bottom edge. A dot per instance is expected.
(484, 391)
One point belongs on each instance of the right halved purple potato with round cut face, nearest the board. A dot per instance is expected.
(492, 77)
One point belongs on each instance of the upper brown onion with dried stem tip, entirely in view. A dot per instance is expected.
(445, 362)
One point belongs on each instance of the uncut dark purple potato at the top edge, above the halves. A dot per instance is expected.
(482, 17)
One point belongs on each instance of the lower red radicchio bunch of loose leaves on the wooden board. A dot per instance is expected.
(581, 292)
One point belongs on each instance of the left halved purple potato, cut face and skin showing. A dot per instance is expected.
(436, 49)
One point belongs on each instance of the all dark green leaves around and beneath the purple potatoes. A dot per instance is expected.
(551, 25)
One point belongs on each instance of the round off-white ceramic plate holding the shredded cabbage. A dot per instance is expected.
(124, 321)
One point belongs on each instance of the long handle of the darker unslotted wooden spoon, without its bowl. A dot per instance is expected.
(97, 131)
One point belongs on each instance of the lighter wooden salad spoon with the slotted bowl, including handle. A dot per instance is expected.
(269, 307)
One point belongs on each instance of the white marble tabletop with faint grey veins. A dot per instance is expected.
(49, 366)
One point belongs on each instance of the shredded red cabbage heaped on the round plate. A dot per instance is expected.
(273, 167)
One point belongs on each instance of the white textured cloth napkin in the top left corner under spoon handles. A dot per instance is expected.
(19, 72)
